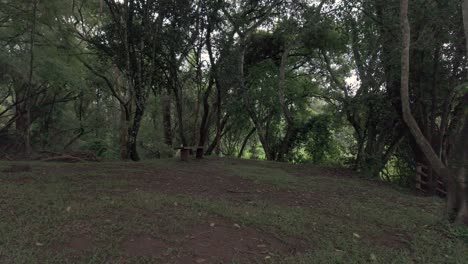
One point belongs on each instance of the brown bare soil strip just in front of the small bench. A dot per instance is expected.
(209, 178)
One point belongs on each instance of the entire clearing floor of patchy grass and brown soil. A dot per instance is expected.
(216, 211)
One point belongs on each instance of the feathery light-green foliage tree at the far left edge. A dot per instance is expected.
(30, 39)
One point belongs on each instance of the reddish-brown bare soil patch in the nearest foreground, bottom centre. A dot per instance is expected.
(215, 241)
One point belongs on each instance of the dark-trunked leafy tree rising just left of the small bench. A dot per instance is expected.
(130, 39)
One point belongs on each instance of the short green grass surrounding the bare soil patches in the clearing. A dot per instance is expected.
(358, 223)
